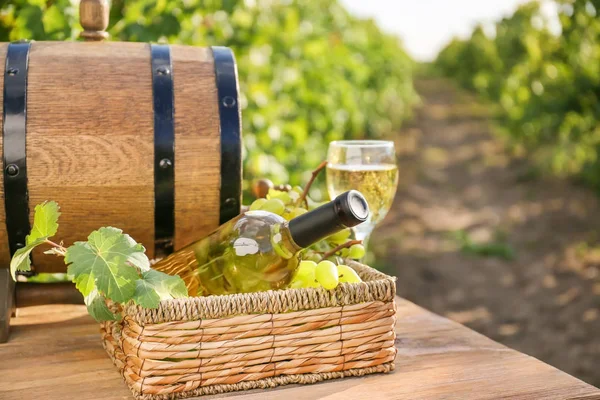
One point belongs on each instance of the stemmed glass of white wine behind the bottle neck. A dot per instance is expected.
(368, 166)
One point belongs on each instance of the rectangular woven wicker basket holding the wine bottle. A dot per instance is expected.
(207, 345)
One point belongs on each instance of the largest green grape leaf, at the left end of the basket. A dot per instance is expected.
(104, 256)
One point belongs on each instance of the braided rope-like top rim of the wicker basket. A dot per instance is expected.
(376, 286)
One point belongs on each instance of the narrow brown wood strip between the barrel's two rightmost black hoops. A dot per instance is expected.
(197, 145)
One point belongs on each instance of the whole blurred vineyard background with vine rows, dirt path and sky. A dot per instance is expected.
(493, 106)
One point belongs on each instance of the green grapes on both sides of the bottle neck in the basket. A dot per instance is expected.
(314, 271)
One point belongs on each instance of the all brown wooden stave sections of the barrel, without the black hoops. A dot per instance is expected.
(90, 141)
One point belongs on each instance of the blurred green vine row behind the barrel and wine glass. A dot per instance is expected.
(309, 72)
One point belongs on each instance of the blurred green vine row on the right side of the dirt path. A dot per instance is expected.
(547, 85)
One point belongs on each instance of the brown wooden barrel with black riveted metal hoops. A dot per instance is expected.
(141, 137)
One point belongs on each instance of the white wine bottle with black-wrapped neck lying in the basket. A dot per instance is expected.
(259, 250)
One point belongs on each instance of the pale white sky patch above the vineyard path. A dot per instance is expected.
(425, 26)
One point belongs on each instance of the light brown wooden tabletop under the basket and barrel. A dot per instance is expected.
(55, 353)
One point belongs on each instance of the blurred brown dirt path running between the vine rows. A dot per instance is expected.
(455, 176)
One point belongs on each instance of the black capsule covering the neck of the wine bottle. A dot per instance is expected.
(345, 211)
